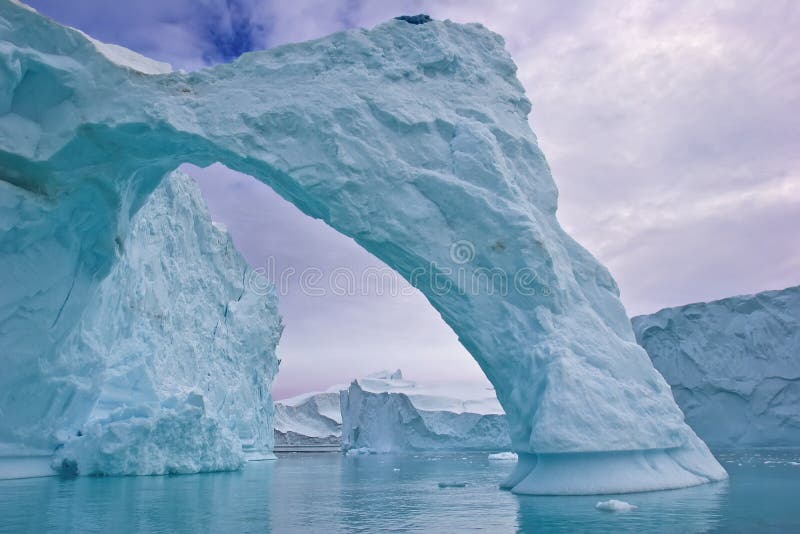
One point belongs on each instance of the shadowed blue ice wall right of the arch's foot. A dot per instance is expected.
(733, 364)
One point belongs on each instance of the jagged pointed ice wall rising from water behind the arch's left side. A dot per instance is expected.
(169, 369)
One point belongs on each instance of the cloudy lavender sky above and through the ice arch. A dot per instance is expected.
(671, 128)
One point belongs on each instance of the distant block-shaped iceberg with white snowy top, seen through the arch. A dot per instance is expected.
(390, 414)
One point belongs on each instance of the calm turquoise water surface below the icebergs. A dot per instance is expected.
(334, 493)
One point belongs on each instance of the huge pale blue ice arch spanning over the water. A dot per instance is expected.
(411, 139)
